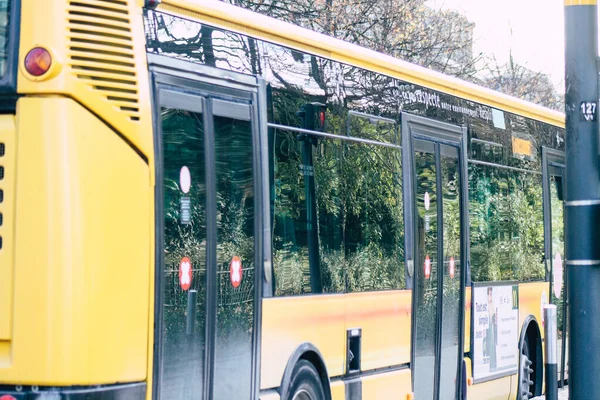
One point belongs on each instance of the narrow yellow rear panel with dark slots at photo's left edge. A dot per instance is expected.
(8, 141)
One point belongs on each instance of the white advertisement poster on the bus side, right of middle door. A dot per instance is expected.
(495, 330)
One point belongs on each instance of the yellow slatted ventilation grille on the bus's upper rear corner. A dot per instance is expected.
(101, 51)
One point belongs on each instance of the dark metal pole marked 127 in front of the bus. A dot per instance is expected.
(582, 205)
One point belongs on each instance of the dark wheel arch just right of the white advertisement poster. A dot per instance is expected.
(530, 332)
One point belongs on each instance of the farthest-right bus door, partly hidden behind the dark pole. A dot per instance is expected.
(554, 247)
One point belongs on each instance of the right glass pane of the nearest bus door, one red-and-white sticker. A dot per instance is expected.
(235, 257)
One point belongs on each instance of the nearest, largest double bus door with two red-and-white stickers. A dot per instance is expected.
(207, 223)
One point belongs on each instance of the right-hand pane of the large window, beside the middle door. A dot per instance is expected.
(373, 229)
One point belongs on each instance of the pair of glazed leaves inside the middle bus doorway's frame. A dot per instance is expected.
(438, 270)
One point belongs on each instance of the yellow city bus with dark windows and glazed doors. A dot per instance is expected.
(200, 202)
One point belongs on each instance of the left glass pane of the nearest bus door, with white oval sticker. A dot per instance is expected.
(184, 239)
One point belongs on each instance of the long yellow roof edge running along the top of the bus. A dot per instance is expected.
(236, 19)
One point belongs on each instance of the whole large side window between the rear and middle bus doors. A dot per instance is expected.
(337, 218)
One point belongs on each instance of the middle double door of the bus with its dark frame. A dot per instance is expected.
(435, 198)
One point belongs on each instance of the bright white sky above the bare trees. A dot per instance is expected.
(537, 39)
